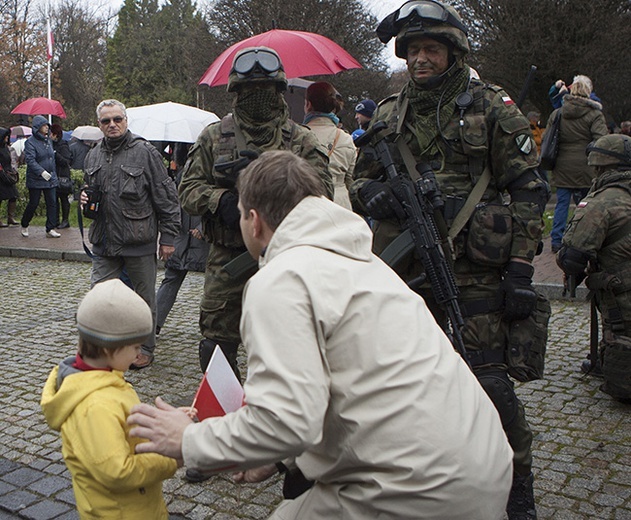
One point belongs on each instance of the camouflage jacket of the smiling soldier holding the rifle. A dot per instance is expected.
(491, 133)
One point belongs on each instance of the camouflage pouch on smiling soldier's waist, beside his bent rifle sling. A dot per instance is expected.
(490, 235)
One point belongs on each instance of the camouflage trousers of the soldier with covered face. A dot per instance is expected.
(220, 308)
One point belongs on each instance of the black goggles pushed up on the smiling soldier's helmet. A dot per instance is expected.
(423, 10)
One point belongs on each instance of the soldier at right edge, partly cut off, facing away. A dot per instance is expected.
(598, 238)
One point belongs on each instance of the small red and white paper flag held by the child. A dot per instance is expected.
(220, 392)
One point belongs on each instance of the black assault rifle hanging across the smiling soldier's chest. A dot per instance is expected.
(417, 202)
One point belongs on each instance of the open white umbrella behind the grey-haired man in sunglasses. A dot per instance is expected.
(169, 122)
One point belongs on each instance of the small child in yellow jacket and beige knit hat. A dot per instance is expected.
(87, 399)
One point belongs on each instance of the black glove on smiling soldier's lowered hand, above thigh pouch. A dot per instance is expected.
(519, 296)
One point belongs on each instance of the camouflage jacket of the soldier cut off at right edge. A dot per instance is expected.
(601, 216)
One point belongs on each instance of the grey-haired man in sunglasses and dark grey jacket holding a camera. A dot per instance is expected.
(136, 201)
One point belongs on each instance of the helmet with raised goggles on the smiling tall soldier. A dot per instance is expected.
(428, 18)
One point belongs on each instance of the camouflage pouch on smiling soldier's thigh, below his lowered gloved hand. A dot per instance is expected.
(527, 340)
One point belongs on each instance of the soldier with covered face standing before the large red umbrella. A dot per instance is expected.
(259, 122)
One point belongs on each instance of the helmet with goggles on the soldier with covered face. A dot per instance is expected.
(256, 64)
